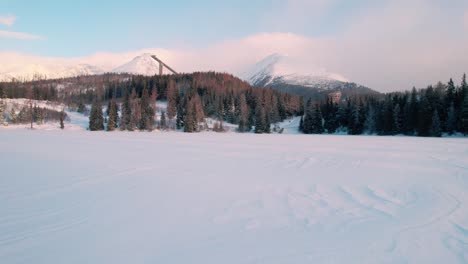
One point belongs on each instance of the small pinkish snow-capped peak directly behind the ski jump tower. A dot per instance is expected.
(144, 65)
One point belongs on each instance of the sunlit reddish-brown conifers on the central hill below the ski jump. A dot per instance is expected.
(191, 98)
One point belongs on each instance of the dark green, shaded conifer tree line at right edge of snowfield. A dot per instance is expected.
(432, 111)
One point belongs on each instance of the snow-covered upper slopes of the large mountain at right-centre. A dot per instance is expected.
(277, 69)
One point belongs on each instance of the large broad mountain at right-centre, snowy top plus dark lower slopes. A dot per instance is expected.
(288, 75)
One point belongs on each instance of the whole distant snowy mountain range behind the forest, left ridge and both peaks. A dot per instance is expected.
(277, 71)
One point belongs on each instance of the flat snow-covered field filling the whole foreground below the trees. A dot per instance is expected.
(84, 197)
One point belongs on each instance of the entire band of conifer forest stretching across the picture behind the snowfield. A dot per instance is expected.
(191, 98)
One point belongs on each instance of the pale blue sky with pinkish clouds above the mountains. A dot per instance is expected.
(387, 45)
